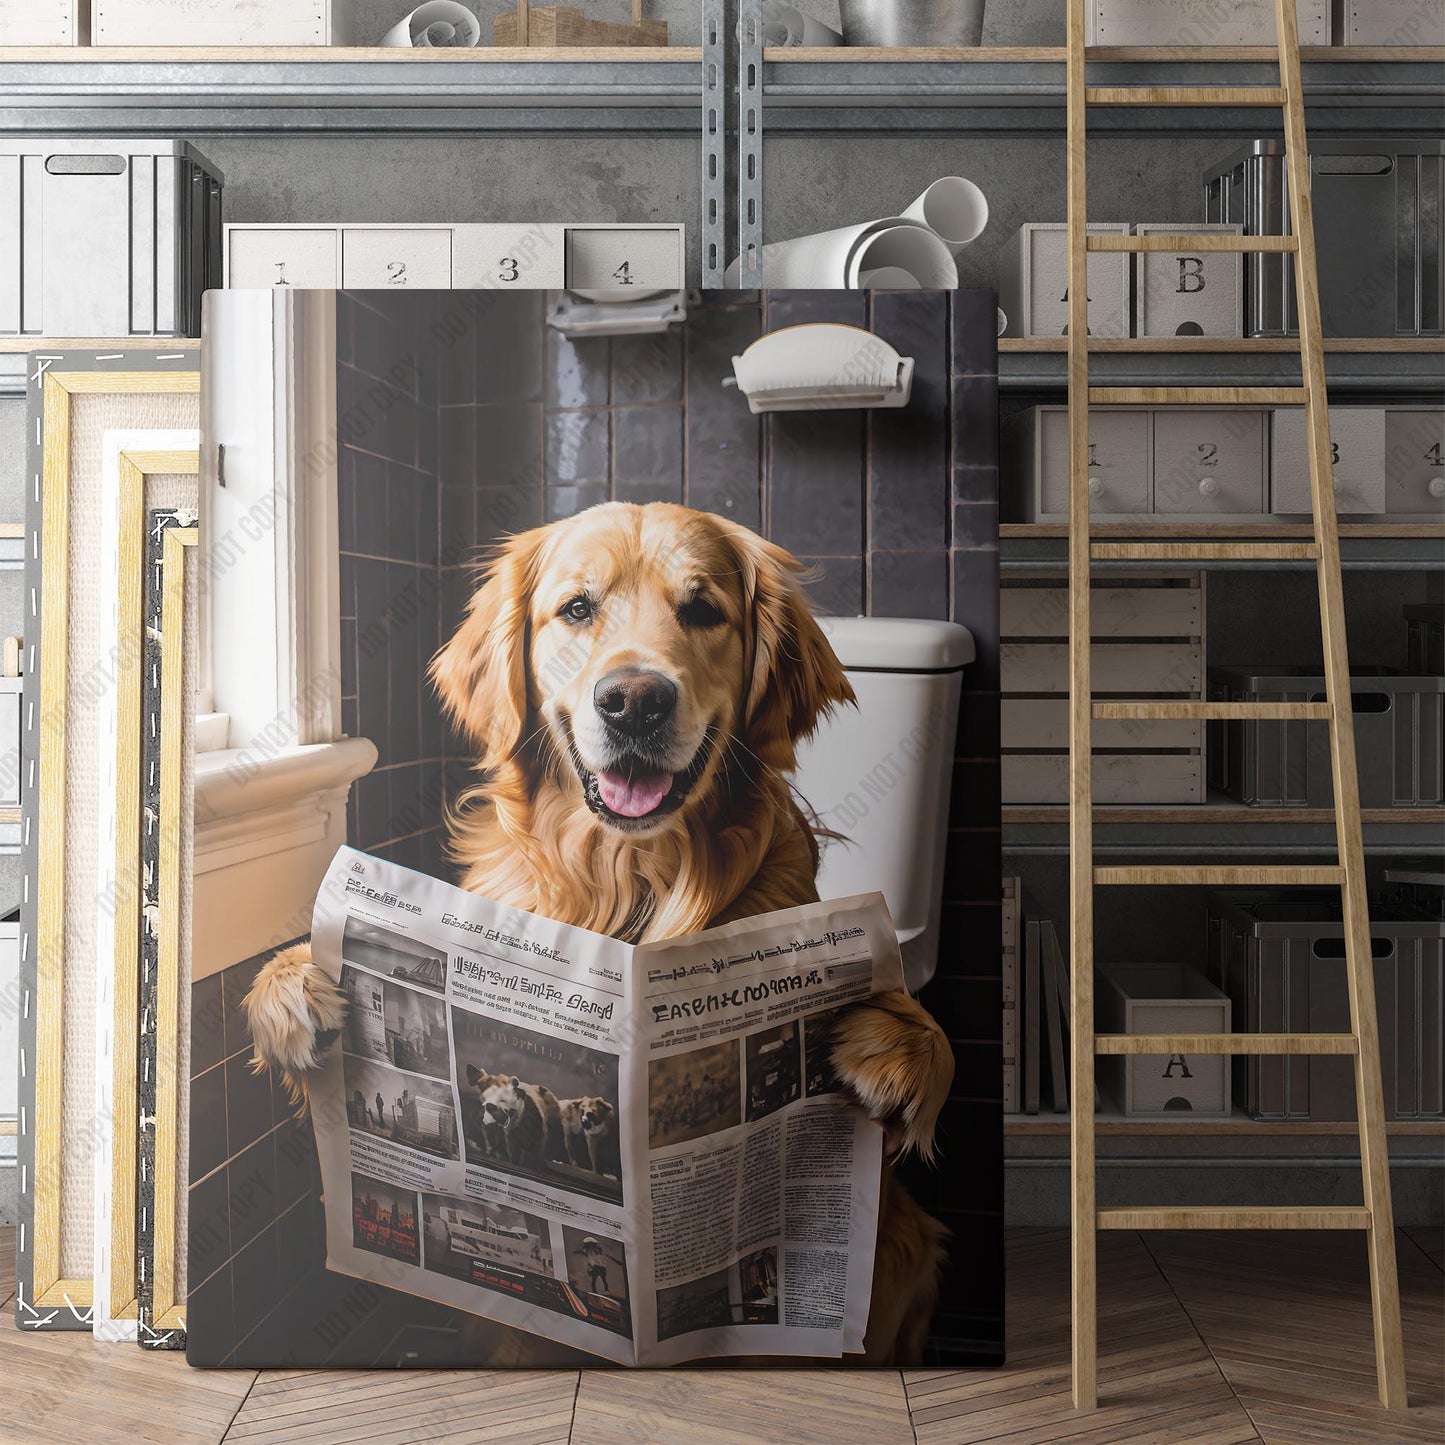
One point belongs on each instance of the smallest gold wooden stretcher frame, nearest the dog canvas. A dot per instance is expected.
(167, 1311)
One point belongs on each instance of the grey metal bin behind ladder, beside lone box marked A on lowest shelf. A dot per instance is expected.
(1281, 960)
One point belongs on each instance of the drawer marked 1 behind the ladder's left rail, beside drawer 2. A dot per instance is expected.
(1119, 462)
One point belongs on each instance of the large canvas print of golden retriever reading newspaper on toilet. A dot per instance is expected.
(611, 608)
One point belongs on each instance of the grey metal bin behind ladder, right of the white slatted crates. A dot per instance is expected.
(1399, 722)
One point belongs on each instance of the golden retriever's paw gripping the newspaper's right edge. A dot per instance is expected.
(897, 1063)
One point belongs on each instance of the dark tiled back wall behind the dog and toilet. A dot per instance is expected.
(898, 514)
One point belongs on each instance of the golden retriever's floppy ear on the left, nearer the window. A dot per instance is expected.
(482, 674)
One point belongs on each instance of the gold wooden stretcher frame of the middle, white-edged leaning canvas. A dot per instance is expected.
(131, 654)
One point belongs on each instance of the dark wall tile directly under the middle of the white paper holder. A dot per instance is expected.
(814, 488)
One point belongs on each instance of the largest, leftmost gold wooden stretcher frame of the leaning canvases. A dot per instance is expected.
(47, 1285)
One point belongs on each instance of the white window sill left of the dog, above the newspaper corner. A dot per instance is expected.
(251, 806)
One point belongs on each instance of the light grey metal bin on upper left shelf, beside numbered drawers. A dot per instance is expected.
(106, 238)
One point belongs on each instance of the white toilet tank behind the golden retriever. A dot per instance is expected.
(882, 775)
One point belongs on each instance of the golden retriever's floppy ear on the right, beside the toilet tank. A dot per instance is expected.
(795, 678)
